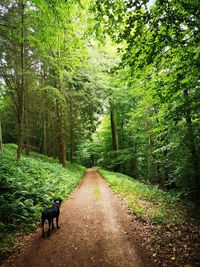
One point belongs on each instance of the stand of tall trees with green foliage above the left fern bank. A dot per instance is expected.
(56, 91)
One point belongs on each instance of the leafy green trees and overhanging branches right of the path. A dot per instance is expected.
(160, 62)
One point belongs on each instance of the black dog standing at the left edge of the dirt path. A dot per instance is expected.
(51, 213)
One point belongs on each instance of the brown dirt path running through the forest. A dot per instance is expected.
(95, 231)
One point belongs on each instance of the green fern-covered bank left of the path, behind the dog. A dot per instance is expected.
(27, 187)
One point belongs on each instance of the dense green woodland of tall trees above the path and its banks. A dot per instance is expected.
(105, 83)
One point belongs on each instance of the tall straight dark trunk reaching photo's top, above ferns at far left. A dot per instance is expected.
(21, 91)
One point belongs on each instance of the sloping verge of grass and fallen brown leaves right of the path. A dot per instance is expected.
(168, 226)
